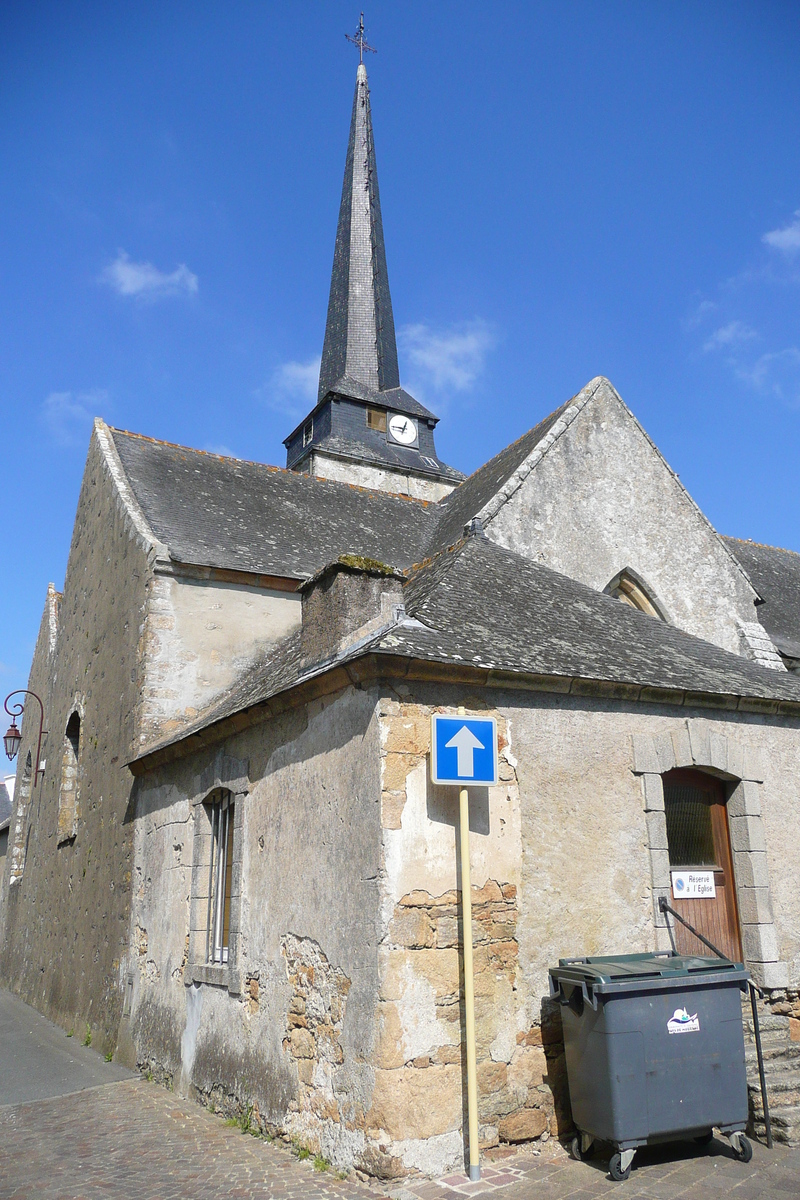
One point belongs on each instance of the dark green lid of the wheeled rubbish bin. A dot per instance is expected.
(607, 973)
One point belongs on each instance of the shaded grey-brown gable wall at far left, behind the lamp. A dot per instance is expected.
(67, 917)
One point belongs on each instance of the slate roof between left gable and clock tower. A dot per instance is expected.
(226, 513)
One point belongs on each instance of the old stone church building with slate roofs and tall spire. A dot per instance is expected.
(236, 869)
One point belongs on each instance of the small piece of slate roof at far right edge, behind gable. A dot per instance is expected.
(775, 574)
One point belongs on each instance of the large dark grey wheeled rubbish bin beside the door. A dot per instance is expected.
(654, 1051)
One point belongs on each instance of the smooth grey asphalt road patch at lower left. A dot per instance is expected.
(38, 1060)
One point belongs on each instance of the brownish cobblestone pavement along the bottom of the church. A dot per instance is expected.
(135, 1141)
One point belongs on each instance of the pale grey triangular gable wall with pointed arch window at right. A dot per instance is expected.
(603, 500)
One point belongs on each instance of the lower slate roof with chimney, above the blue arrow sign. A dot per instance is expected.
(479, 605)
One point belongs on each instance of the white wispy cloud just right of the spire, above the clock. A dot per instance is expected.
(448, 359)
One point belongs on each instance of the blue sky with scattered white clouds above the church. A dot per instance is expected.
(569, 190)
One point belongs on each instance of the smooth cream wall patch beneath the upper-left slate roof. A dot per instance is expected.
(200, 637)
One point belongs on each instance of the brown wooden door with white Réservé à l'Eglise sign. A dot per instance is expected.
(699, 838)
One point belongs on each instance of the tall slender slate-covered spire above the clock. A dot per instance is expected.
(360, 346)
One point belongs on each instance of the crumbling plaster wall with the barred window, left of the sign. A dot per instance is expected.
(288, 1034)
